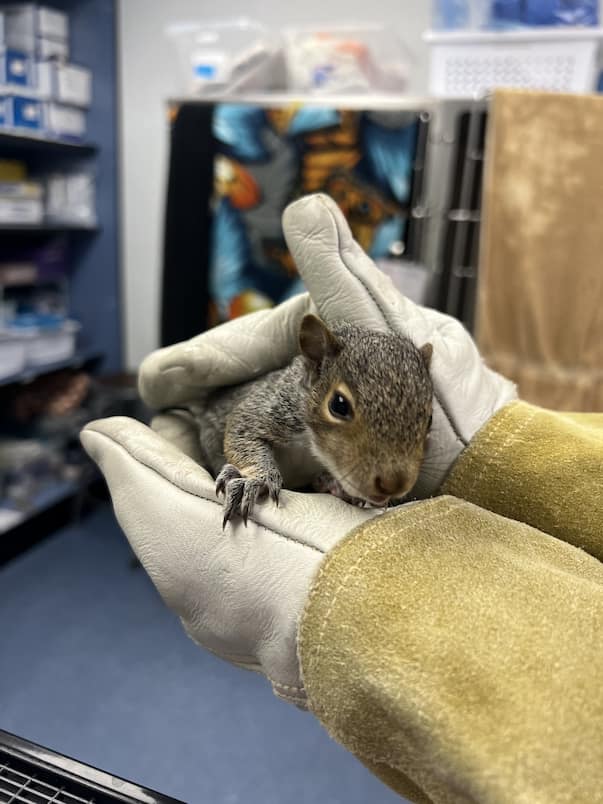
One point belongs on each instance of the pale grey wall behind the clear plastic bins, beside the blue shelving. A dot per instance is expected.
(149, 75)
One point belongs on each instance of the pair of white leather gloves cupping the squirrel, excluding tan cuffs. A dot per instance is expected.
(241, 593)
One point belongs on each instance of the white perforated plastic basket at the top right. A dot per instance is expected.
(472, 63)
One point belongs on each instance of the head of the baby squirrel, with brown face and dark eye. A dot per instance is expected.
(369, 406)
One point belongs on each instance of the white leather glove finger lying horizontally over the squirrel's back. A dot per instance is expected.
(231, 353)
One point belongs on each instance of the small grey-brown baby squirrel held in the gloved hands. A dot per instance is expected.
(349, 415)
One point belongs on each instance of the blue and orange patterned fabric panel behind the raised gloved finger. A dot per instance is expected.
(269, 157)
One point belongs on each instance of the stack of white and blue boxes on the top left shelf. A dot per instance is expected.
(40, 91)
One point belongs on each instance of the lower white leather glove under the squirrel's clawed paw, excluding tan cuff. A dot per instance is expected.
(239, 593)
